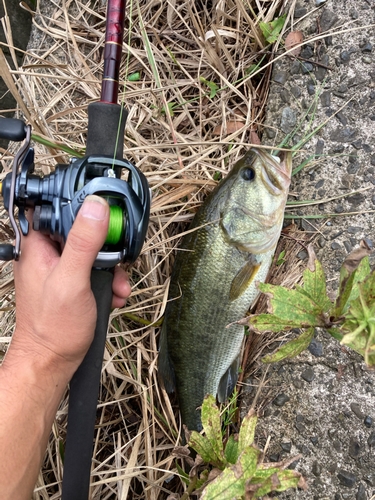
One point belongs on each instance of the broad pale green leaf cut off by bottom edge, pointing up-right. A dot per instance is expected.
(231, 482)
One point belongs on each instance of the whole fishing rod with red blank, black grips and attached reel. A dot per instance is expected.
(56, 200)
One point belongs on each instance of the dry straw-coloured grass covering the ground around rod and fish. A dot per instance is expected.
(138, 423)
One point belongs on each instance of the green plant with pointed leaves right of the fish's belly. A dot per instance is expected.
(350, 318)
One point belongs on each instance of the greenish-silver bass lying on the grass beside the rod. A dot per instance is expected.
(228, 248)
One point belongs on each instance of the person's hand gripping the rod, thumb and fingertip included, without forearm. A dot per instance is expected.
(56, 310)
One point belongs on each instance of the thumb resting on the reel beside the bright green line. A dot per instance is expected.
(86, 238)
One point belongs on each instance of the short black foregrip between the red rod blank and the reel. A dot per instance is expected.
(106, 127)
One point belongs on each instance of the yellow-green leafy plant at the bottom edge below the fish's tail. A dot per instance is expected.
(237, 469)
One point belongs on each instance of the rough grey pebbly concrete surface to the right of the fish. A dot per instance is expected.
(327, 396)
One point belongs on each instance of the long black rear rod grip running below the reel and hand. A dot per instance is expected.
(83, 398)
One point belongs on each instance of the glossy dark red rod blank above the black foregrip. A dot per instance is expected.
(113, 49)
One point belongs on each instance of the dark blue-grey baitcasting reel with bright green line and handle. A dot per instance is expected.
(57, 198)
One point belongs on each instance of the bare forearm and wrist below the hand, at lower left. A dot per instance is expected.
(31, 389)
